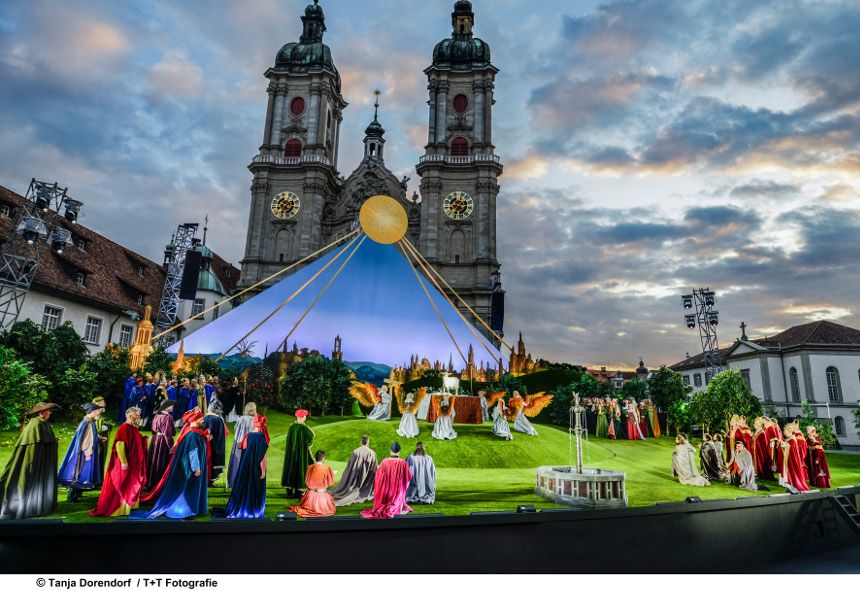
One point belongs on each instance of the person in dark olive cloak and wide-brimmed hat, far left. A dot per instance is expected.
(28, 486)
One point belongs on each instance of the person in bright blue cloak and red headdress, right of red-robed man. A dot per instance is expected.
(182, 491)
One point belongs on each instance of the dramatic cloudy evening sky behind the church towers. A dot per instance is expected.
(650, 146)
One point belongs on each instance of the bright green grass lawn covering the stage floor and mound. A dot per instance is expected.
(476, 471)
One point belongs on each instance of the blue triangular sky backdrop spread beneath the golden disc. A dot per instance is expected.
(376, 305)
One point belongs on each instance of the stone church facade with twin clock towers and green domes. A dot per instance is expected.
(300, 203)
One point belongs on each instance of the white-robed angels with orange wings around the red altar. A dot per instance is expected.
(516, 409)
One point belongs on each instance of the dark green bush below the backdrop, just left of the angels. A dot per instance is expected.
(318, 384)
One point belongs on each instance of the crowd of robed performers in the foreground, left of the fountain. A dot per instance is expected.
(174, 473)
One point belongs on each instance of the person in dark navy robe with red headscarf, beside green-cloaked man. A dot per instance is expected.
(248, 496)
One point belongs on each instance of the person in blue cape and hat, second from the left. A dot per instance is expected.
(82, 467)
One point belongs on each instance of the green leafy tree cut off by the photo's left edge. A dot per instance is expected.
(20, 389)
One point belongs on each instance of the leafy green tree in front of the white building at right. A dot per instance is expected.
(727, 394)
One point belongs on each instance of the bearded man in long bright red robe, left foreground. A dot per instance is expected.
(126, 473)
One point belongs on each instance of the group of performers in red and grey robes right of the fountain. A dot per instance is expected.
(743, 455)
